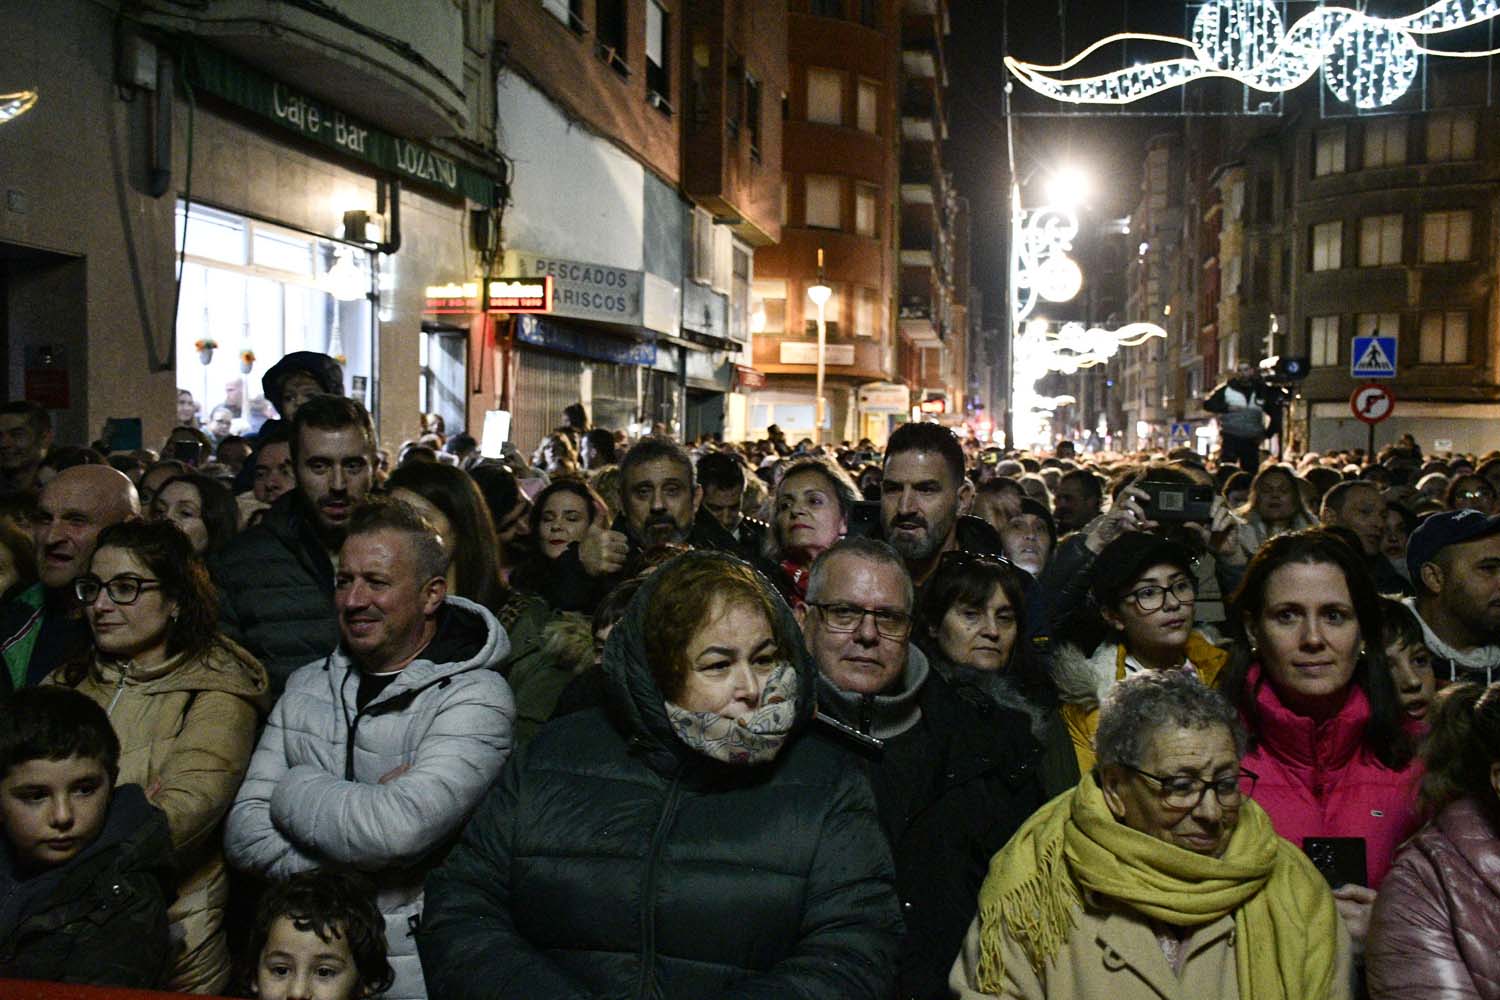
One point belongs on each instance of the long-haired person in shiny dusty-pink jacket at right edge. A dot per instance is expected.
(1433, 927)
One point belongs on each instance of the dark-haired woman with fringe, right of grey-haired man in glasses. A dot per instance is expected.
(970, 623)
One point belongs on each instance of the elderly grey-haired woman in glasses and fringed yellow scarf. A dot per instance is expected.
(1156, 878)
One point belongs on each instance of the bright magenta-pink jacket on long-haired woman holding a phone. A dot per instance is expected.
(1322, 780)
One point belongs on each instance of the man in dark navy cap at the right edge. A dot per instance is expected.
(1454, 558)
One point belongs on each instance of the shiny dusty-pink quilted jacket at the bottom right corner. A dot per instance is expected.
(1438, 918)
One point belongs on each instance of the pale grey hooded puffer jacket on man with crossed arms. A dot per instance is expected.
(314, 792)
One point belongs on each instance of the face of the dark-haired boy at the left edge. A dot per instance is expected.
(50, 810)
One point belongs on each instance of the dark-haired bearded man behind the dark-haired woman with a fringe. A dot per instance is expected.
(925, 500)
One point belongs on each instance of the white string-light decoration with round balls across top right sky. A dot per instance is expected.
(1366, 61)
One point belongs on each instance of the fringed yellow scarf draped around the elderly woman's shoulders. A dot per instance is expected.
(1285, 920)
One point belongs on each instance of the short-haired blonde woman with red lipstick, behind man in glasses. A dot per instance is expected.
(809, 513)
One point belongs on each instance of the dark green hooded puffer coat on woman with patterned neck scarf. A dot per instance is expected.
(613, 861)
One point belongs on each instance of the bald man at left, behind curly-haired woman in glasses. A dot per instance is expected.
(43, 627)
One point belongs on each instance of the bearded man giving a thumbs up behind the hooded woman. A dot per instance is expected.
(662, 512)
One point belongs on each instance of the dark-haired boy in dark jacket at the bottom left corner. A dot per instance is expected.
(88, 867)
